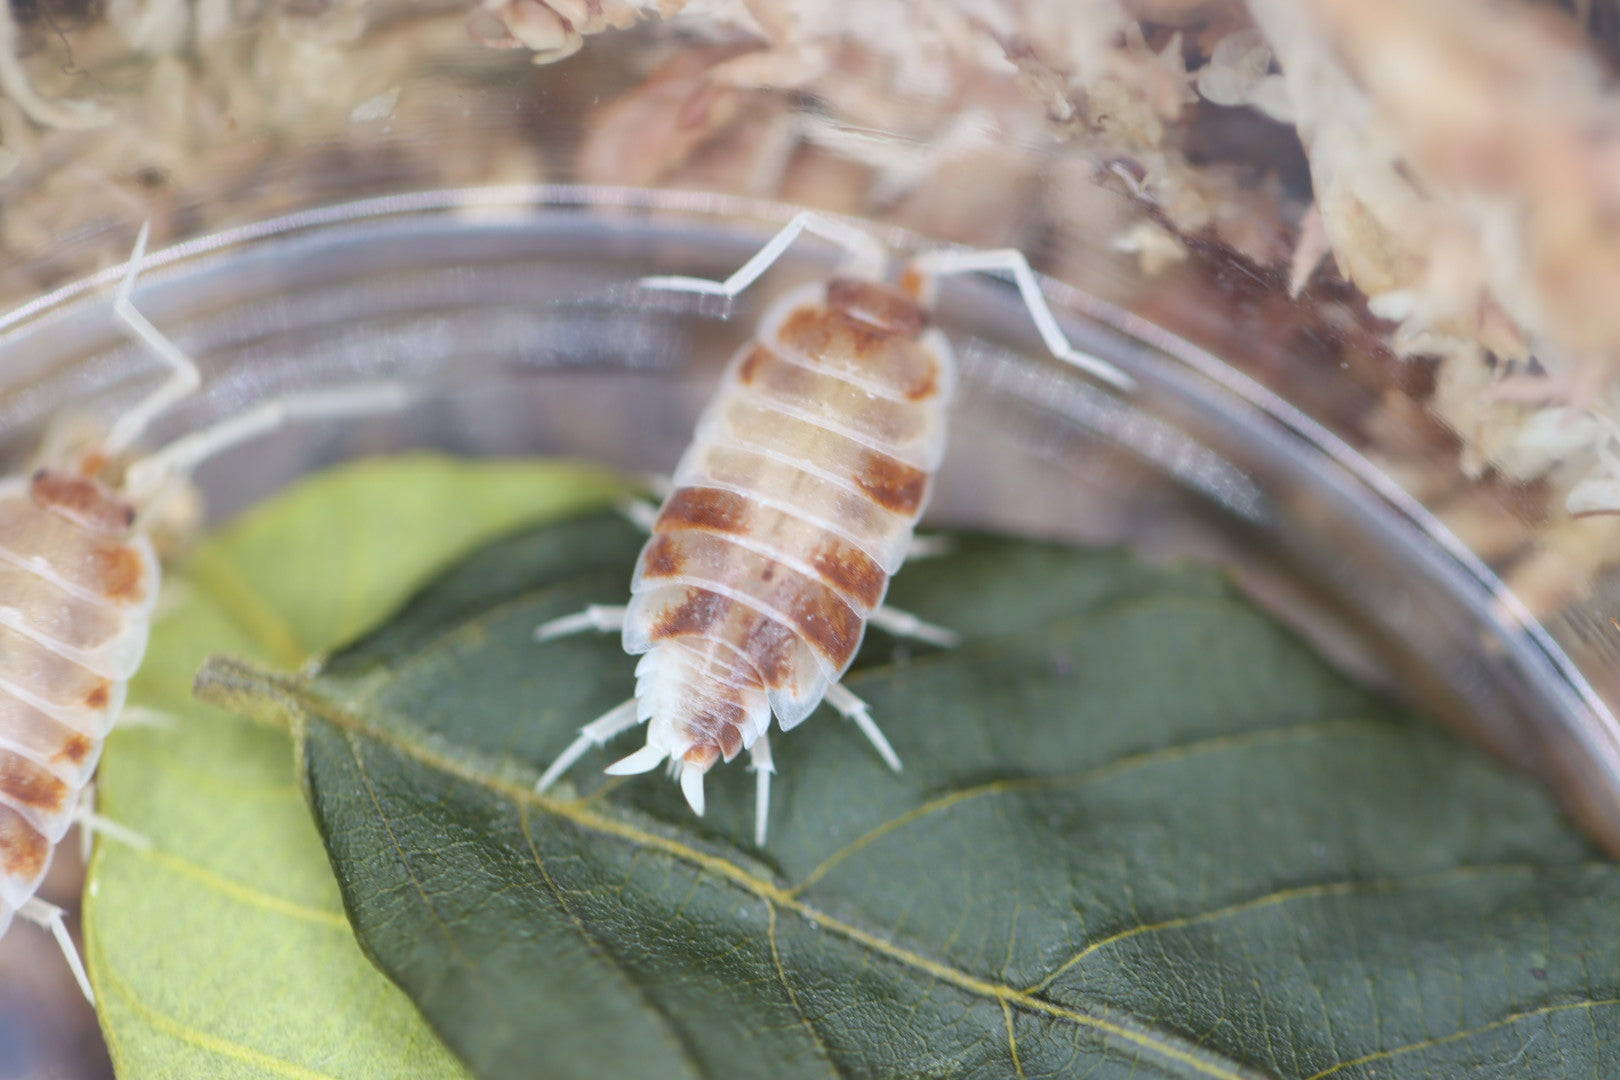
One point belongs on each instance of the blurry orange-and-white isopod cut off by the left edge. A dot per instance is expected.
(79, 582)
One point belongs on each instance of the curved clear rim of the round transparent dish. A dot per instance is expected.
(1159, 359)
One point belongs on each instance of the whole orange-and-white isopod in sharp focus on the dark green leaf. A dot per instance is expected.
(790, 511)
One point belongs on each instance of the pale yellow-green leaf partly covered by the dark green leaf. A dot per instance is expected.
(224, 950)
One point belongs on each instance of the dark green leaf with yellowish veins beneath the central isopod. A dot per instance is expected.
(1141, 833)
